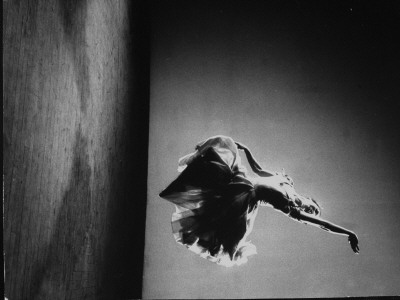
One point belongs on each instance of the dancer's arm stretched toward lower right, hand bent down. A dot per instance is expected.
(328, 226)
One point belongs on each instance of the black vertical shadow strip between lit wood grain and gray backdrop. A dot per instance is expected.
(123, 270)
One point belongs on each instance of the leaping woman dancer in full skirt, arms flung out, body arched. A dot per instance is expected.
(216, 202)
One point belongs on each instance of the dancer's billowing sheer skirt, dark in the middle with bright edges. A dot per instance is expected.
(215, 203)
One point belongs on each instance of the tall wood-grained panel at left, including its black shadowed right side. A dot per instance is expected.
(75, 148)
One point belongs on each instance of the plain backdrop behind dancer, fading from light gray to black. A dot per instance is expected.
(309, 87)
